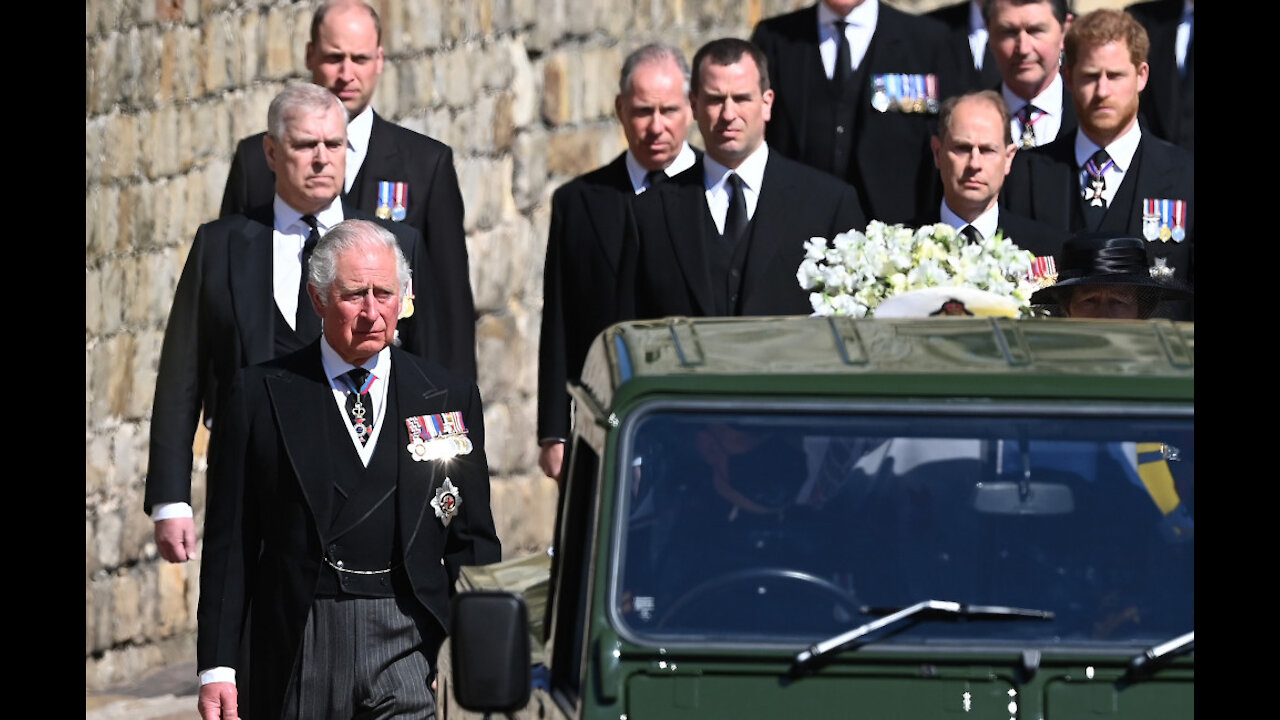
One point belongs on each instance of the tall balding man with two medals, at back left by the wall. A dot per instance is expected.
(392, 172)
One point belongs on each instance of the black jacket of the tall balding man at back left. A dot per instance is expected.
(396, 154)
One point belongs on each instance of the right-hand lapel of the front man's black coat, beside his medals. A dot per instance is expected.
(415, 395)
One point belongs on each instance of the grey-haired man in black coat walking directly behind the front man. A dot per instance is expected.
(240, 298)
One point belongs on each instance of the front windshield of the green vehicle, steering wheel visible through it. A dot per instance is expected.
(783, 527)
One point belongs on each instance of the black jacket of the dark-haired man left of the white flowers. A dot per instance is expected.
(666, 265)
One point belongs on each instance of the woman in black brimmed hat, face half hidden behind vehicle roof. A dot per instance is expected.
(1104, 276)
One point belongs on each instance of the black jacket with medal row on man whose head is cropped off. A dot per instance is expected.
(892, 151)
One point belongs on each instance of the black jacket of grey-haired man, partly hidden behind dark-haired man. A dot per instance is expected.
(580, 281)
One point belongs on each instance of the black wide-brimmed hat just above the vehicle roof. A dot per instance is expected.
(1108, 259)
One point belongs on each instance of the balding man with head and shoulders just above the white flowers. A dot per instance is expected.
(973, 152)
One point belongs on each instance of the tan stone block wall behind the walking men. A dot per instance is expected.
(524, 93)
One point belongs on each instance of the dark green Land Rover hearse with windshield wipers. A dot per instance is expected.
(794, 518)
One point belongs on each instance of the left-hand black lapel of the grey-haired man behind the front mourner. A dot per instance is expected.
(253, 295)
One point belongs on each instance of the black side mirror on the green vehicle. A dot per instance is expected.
(490, 651)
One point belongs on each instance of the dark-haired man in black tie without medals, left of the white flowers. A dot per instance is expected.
(726, 236)
